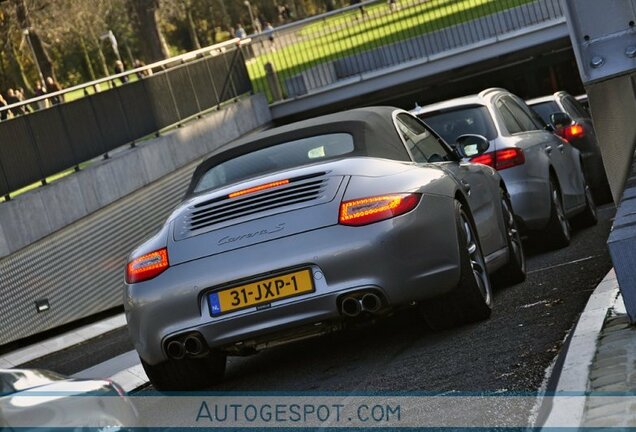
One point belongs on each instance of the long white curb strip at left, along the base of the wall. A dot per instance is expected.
(61, 342)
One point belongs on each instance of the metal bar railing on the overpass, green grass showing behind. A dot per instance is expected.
(323, 50)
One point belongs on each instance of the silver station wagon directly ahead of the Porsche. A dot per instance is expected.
(542, 171)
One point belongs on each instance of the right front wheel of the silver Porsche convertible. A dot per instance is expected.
(515, 271)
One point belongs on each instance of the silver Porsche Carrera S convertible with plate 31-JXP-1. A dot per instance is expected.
(301, 230)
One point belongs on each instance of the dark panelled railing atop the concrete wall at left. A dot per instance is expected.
(51, 140)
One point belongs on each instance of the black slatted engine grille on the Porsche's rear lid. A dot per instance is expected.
(224, 209)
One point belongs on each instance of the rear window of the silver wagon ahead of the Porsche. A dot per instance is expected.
(450, 124)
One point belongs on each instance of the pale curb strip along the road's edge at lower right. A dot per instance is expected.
(574, 375)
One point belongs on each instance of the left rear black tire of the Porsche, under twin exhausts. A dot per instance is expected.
(187, 374)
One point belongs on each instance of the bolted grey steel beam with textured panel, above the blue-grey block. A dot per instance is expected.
(603, 35)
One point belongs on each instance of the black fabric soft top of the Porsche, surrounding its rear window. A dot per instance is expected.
(372, 128)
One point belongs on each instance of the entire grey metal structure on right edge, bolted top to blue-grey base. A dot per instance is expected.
(603, 35)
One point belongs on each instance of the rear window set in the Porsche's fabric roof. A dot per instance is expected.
(278, 157)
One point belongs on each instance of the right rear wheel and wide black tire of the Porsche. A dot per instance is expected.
(471, 300)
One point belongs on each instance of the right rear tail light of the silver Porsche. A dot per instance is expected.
(365, 211)
